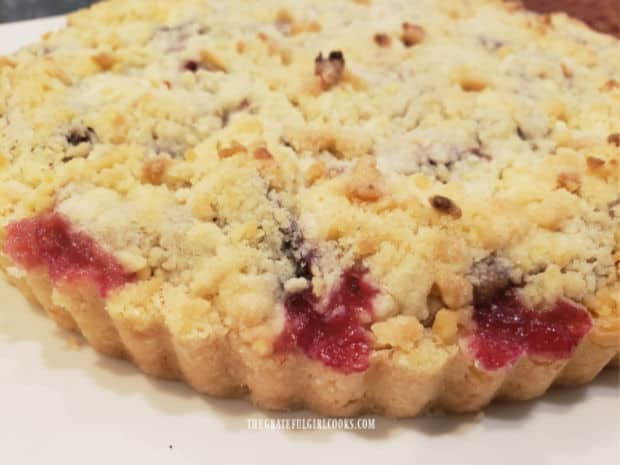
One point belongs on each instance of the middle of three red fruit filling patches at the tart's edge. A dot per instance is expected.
(334, 332)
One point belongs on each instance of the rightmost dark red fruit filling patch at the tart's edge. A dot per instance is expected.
(507, 328)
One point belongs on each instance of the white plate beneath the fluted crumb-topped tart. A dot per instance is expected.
(62, 404)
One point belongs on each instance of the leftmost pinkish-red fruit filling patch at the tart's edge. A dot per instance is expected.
(50, 240)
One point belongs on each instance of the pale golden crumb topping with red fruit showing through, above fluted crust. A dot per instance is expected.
(338, 179)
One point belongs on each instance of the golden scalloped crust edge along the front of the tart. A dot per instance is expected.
(397, 384)
